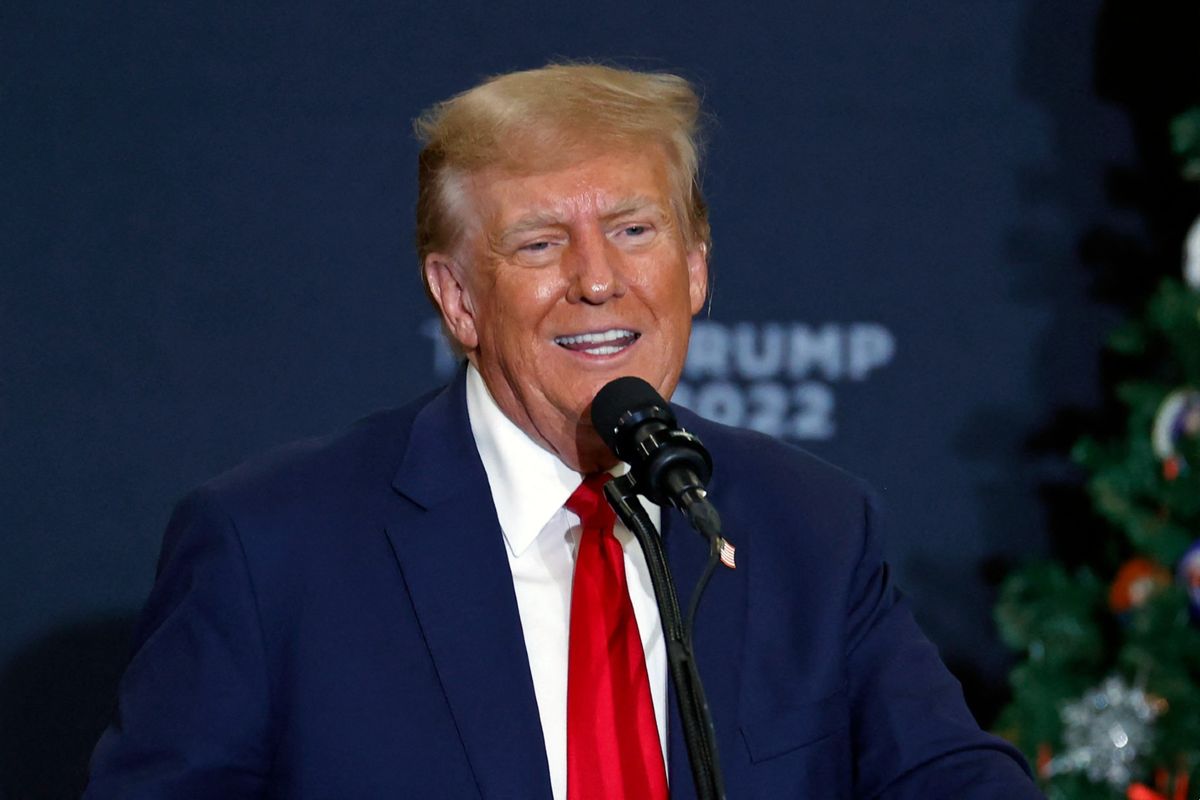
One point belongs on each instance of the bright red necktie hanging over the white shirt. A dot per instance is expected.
(613, 742)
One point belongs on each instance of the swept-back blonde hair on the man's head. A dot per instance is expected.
(542, 119)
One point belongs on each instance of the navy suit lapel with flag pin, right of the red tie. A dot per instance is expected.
(718, 641)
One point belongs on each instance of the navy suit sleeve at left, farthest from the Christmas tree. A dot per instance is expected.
(194, 706)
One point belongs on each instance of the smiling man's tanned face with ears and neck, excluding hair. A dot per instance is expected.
(568, 280)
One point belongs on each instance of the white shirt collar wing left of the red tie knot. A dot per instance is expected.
(530, 484)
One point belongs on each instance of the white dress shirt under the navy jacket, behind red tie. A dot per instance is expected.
(530, 486)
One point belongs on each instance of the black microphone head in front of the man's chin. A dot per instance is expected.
(669, 465)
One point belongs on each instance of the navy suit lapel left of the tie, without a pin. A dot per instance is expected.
(452, 556)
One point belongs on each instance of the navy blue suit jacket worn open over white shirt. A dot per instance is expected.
(339, 622)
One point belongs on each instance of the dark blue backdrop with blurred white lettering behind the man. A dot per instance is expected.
(207, 251)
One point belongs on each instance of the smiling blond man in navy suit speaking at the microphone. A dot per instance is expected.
(405, 610)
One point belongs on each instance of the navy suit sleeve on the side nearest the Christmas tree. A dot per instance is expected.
(914, 735)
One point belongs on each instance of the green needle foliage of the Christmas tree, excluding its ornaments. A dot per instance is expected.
(1063, 622)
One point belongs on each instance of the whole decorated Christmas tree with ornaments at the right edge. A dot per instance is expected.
(1107, 696)
